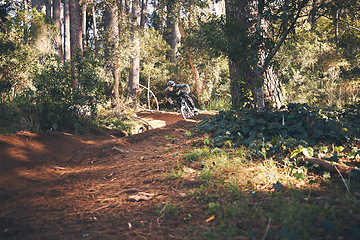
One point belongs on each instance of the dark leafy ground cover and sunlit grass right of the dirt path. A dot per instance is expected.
(256, 180)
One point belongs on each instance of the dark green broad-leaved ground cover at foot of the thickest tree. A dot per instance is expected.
(296, 122)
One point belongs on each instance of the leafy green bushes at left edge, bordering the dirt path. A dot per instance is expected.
(52, 103)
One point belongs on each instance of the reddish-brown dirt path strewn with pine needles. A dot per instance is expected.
(62, 186)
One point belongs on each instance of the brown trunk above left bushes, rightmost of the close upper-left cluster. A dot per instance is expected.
(75, 35)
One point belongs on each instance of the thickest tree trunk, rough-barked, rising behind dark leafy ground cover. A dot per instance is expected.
(250, 73)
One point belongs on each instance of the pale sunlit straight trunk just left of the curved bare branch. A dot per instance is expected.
(134, 75)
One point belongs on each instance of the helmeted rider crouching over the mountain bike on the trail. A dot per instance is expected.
(174, 91)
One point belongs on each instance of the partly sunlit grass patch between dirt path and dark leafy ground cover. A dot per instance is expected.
(255, 197)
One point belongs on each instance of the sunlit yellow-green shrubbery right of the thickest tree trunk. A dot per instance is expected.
(316, 68)
